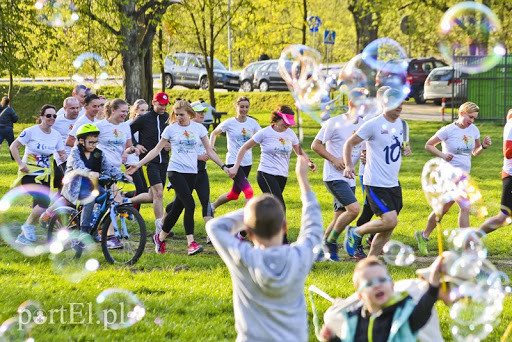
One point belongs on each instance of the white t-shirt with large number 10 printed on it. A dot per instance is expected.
(384, 140)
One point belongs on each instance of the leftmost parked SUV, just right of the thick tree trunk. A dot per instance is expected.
(188, 69)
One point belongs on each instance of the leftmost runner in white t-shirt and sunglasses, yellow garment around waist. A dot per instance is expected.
(40, 142)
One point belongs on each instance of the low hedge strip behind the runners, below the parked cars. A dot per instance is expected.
(28, 99)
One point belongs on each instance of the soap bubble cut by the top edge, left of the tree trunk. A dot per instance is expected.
(57, 13)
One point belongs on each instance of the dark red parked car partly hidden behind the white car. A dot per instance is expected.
(417, 73)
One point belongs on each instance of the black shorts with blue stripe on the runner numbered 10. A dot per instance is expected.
(383, 200)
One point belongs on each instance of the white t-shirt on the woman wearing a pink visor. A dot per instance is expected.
(238, 133)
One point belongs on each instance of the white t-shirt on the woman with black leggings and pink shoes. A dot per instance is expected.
(185, 141)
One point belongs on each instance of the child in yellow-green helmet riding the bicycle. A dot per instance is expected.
(86, 156)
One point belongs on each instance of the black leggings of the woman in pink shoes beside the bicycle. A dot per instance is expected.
(183, 184)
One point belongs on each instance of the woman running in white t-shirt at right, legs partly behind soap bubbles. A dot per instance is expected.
(460, 140)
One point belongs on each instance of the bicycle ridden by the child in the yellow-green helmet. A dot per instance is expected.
(120, 218)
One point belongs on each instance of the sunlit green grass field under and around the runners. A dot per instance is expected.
(192, 296)
